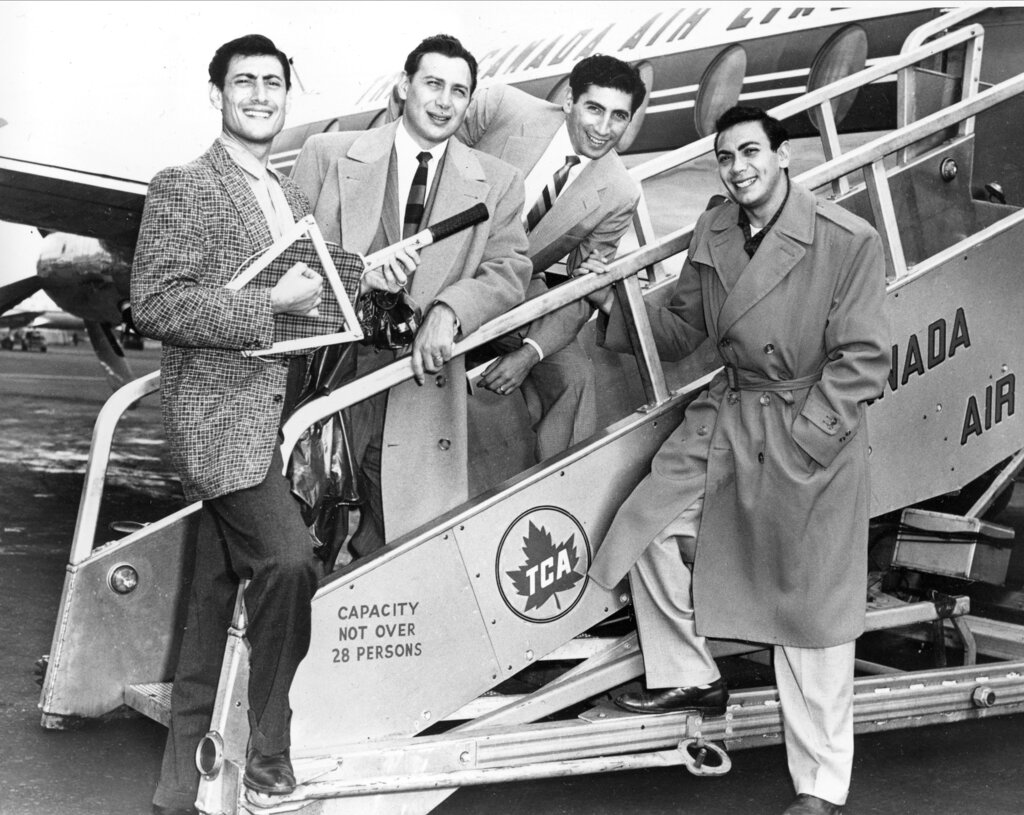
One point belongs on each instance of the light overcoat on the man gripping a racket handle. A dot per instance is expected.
(480, 273)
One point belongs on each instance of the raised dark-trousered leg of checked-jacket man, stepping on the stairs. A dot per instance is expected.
(271, 546)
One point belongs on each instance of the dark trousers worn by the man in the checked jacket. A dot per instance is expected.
(258, 535)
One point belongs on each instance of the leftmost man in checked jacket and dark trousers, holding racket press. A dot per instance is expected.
(223, 412)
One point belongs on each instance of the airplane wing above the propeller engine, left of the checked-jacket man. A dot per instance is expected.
(60, 200)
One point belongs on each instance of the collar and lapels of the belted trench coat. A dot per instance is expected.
(782, 249)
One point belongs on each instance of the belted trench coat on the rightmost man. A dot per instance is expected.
(778, 445)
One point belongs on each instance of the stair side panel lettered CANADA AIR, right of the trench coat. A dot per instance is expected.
(952, 409)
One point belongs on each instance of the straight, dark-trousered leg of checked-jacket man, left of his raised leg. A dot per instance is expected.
(208, 617)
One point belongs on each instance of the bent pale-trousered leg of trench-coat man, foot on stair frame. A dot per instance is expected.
(674, 655)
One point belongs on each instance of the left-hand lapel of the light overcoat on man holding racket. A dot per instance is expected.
(363, 181)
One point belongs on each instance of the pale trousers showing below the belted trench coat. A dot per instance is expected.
(816, 685)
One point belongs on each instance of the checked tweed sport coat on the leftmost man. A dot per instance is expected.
(222, 410)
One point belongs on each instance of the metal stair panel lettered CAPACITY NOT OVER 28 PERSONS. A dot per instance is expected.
(397, 646)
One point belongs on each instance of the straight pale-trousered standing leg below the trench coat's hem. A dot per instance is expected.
(816, 689)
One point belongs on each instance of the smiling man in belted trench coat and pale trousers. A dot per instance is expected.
(764, 485)
